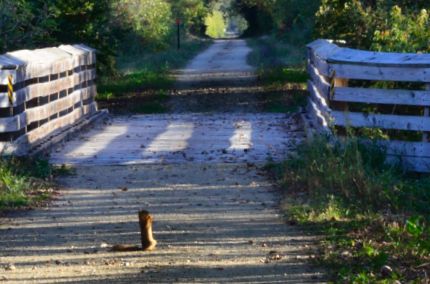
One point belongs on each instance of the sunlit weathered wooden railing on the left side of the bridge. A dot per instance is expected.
(43, 92)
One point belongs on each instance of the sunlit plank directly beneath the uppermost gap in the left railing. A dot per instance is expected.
(47, 88)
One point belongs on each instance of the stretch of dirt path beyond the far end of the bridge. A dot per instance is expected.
(218, 80)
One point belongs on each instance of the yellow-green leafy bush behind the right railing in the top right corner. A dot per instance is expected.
(401, 26)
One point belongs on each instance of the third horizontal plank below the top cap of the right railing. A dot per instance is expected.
(385, 121)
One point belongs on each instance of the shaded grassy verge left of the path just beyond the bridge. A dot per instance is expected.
(144, 78)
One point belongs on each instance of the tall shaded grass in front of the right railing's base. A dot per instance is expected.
(357, 174)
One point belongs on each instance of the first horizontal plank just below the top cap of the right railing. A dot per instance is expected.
(376, 73)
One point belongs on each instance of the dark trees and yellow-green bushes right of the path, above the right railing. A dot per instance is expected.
(391, 25)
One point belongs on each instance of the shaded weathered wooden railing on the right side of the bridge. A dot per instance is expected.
(345, 82)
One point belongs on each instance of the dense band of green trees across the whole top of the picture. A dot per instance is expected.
(116, 26)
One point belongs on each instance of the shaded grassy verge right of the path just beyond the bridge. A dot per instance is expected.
(281, 70)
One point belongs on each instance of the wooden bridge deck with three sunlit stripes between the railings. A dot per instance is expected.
(179, 138)
